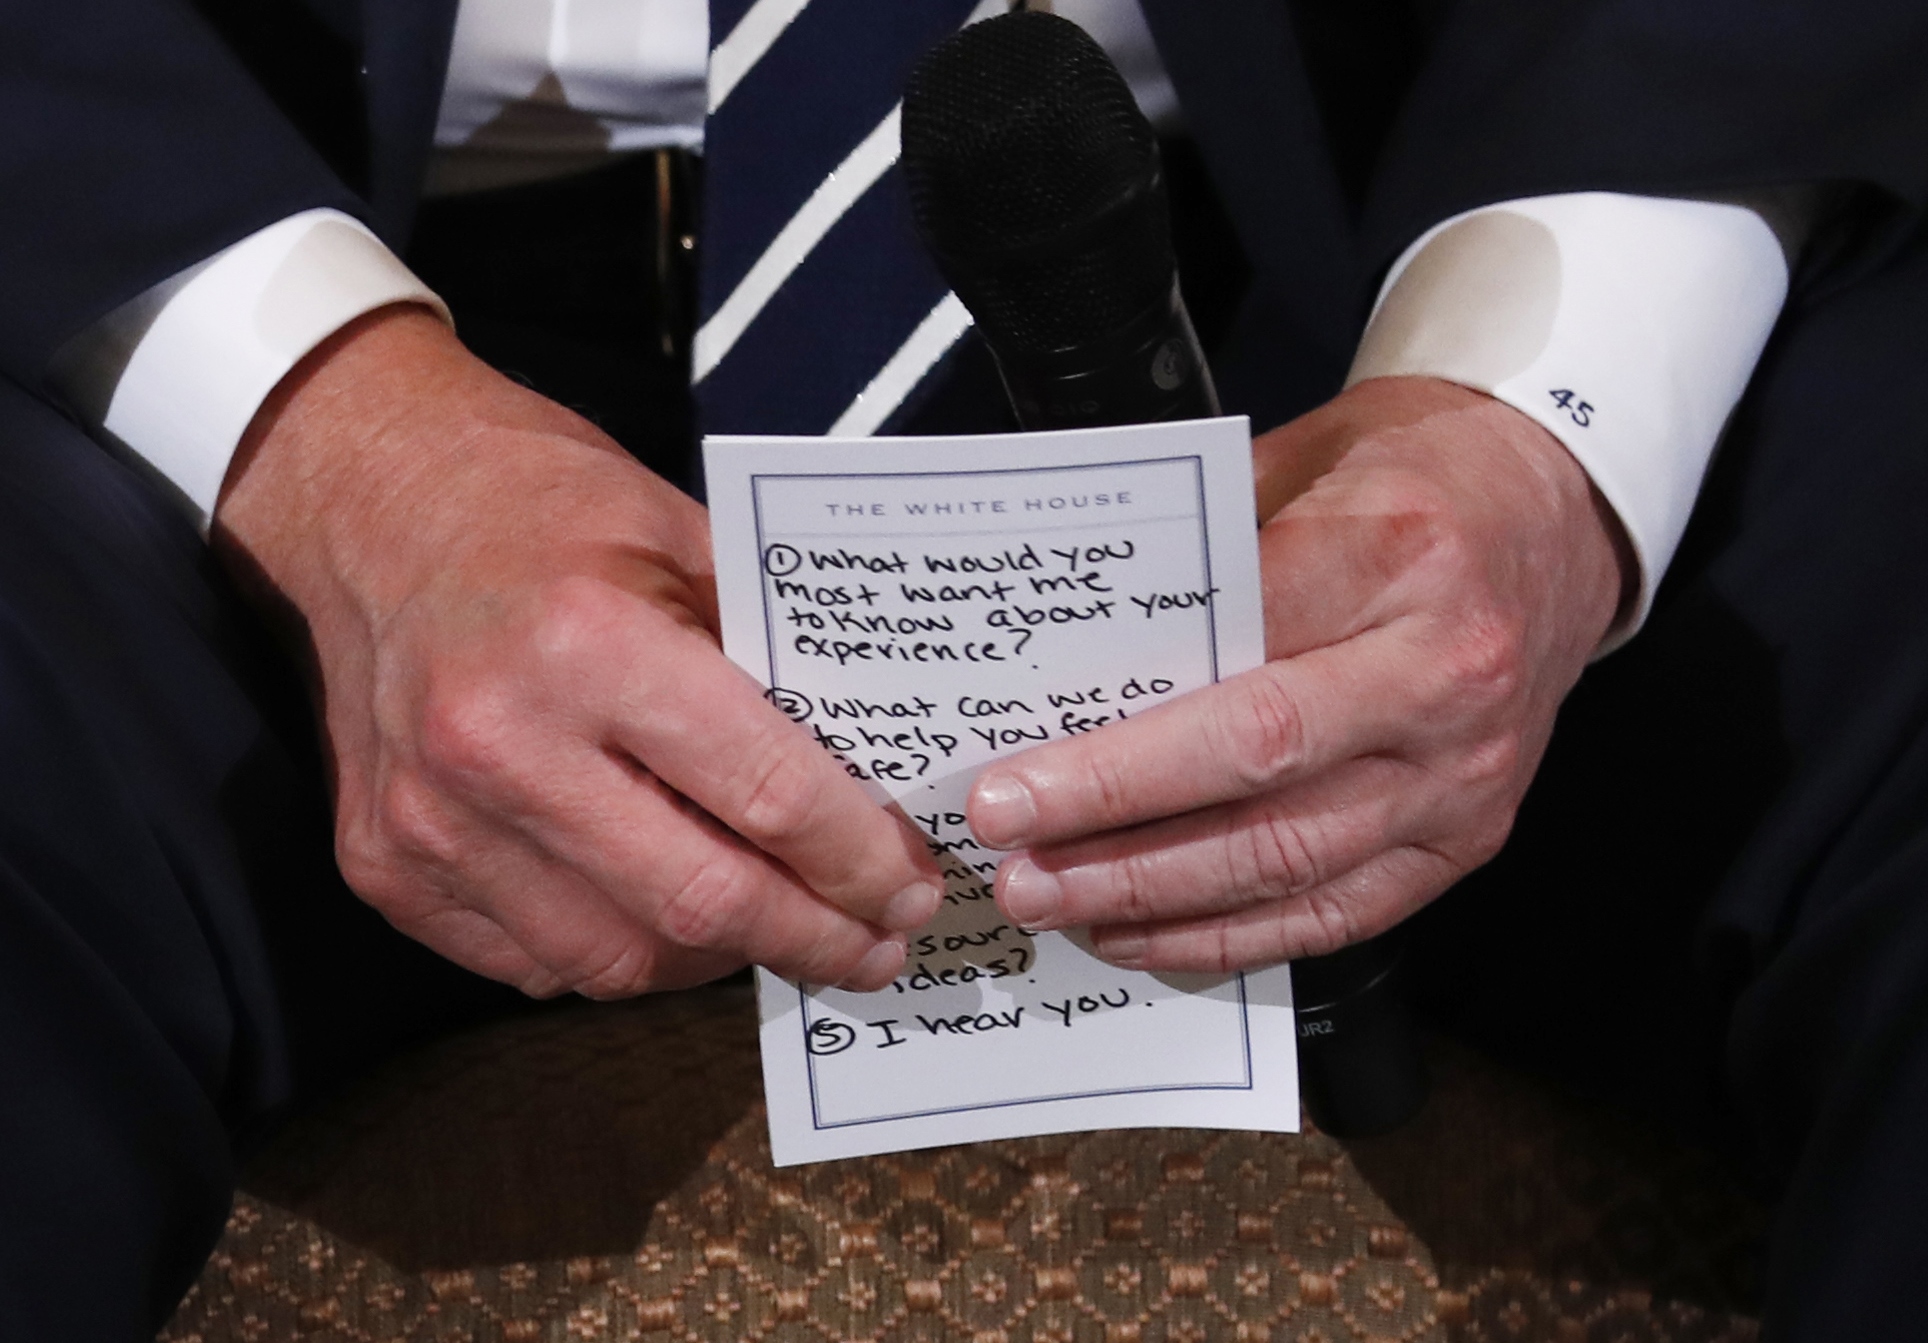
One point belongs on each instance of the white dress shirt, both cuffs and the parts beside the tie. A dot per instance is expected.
(1624, 325)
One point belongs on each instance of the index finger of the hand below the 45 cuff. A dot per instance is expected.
(1258, 731)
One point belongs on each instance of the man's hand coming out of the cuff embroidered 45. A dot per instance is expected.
(1437, 571)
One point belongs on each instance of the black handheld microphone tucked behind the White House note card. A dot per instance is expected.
(1036, 184)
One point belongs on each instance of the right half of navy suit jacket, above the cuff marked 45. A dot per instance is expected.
(1522, 99)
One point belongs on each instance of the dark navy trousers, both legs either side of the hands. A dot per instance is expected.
(1719, 889)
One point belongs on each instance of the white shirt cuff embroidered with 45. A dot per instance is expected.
(1624, 325)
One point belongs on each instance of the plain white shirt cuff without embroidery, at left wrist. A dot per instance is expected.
(207, 348)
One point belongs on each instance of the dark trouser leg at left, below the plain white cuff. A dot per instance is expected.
(176, 949)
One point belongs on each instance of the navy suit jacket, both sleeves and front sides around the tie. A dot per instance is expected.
(142, 136)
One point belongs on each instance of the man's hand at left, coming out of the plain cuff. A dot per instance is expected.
(545, 766)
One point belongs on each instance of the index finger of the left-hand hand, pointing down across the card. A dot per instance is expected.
(701, 725)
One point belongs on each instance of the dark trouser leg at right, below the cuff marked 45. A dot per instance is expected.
(1717, 897)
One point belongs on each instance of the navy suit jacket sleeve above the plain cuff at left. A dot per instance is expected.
(138, 145)
